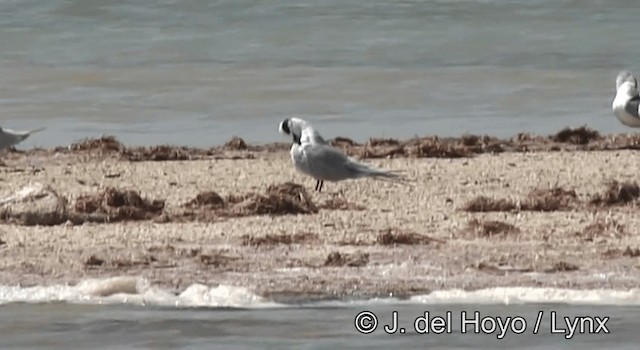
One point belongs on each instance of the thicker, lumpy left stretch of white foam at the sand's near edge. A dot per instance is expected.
(133, 290)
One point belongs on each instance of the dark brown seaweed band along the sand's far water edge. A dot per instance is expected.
(567, 139)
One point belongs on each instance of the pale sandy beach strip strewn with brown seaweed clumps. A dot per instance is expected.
(480, 212)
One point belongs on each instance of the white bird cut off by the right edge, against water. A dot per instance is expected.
(627, 102)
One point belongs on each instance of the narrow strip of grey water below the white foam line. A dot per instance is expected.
(58, 326)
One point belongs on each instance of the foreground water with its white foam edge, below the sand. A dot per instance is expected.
(126, 313)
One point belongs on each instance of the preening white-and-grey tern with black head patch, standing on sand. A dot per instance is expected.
(314, 156)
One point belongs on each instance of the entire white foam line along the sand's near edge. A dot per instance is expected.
(133, 290)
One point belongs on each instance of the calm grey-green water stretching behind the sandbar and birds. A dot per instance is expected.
(196, 73)
